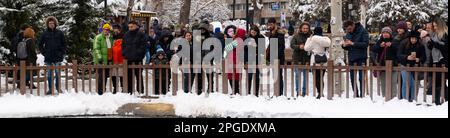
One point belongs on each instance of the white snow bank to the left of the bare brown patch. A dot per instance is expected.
(16, 105)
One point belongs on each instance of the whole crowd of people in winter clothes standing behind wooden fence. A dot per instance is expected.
(407, 45)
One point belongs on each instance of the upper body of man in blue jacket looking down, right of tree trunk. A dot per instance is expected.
(360, 38)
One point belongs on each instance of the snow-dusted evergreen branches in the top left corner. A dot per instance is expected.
(30, 12)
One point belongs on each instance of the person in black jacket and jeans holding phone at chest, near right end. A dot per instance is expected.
(410, 54)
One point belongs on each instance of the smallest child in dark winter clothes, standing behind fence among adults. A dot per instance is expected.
(160, 73)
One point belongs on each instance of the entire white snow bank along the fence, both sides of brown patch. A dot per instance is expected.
(217, 105)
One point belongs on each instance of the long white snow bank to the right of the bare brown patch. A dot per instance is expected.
(222, 105)
